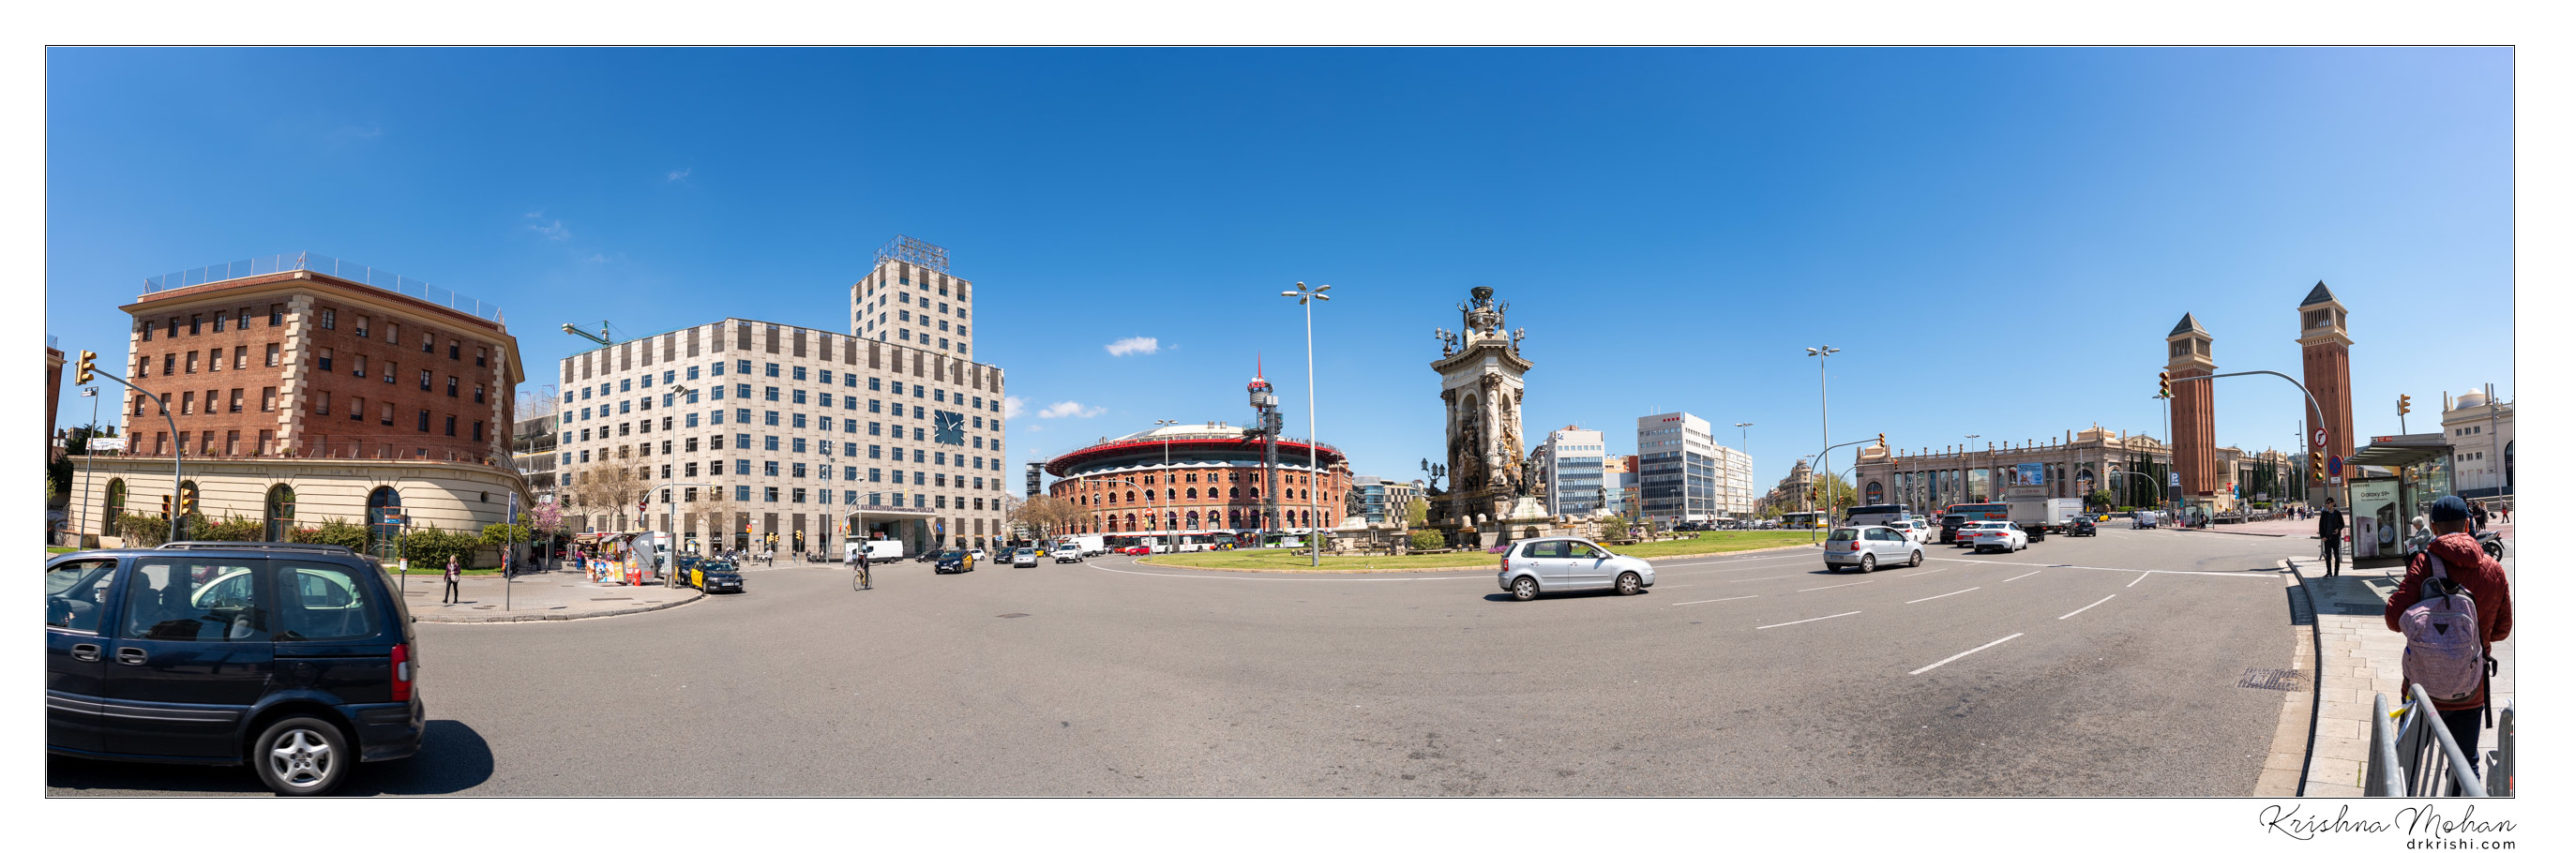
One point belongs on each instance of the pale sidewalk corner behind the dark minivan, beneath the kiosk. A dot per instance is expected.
(536, 598)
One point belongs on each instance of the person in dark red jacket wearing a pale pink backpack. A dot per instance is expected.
(2451, 606)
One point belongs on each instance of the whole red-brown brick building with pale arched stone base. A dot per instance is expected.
(306, 386)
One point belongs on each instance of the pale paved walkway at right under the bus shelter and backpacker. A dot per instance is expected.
(2359, 660)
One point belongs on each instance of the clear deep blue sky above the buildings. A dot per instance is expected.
(1673, 227)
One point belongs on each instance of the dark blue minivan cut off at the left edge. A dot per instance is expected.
(293, 660)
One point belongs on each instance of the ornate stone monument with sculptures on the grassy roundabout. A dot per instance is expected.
(1494, 483)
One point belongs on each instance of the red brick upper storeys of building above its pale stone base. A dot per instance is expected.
(270, 368)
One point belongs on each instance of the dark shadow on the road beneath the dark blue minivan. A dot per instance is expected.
(454, 760)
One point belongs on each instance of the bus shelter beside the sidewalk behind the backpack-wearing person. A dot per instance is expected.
(2387, 498)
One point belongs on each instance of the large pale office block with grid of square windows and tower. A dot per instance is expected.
(739, 429)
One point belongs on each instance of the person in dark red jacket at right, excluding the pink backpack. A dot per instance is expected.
(2461, 560)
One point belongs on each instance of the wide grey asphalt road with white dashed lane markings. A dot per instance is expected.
(2098, 667)
